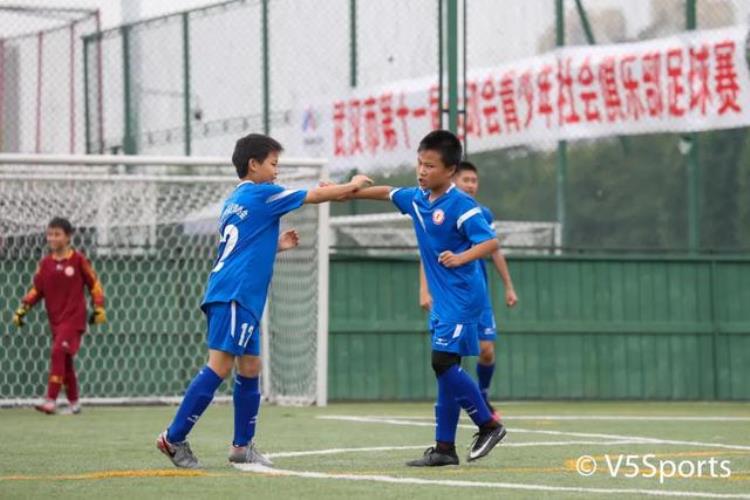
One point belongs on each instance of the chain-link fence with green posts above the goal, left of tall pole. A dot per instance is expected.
(244, 65)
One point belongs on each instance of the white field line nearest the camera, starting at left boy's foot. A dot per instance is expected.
(479, 484)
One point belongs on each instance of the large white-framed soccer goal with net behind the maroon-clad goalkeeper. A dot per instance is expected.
(149, 225)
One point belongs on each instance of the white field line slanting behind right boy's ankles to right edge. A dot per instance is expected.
(633, 439)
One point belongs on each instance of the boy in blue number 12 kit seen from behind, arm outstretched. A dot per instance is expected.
(236, 295)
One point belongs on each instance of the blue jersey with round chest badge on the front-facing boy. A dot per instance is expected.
(452, 222)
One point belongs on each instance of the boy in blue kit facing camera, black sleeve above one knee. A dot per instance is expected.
(452, 236)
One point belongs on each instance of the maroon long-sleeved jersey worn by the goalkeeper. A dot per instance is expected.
(60, 283)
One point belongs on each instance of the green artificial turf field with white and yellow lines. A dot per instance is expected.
(358, 451)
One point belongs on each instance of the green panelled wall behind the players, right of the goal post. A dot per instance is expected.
(608, 327)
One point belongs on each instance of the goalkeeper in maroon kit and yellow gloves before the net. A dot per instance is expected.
(60, 279)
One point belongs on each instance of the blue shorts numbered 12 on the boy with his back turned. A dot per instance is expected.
(232, 329)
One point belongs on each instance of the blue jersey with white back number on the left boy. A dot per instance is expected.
(249, 232)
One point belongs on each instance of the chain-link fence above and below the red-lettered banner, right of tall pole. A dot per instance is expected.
(625, 193)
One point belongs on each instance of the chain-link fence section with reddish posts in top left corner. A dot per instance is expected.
(41, 86)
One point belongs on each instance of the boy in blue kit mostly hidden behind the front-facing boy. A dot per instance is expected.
(467, 180)
